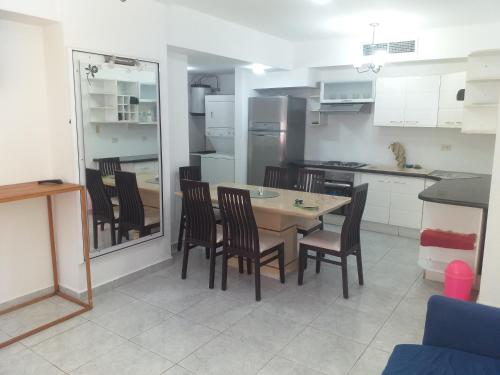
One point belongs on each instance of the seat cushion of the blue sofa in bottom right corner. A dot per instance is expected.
(427, 360)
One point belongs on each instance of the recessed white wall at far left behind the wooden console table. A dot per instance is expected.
(25, 156)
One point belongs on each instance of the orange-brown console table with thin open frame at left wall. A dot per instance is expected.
(29, 190)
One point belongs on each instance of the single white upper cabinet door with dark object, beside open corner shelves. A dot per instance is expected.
(451, 110)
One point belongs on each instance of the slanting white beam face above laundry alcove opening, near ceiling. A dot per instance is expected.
(190, 29)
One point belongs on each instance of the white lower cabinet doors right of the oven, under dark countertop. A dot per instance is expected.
(393, 200)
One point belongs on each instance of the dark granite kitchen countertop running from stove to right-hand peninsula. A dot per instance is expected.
(455, 188)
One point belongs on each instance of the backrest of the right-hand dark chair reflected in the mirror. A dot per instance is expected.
(131, 207)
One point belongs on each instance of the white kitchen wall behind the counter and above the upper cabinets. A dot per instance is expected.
(352, 136)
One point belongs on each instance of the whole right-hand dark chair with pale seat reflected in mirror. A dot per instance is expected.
(133, 214)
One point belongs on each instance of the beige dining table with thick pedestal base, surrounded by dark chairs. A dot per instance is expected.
(280, 216)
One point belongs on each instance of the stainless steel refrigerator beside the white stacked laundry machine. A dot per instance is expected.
(276, 133)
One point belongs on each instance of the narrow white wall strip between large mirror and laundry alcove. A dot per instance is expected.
(179, 136)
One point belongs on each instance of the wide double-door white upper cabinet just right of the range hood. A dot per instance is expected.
(407, 101)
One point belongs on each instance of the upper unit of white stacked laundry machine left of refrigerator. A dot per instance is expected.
(219, 111)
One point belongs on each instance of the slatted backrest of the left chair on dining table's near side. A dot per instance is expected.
(200, 217)
